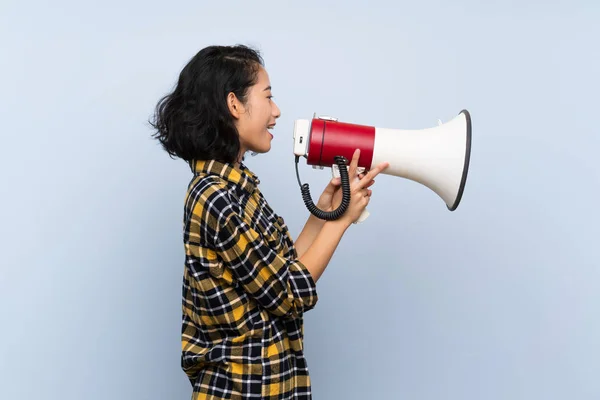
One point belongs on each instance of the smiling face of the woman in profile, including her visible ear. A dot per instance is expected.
(256, 117)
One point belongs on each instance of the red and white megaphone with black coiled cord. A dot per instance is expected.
(436, 157)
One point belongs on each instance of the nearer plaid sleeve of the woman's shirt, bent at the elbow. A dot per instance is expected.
(280, 285)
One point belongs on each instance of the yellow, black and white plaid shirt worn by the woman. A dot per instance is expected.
(244, 291)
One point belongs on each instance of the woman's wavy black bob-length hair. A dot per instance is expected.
(193, 122)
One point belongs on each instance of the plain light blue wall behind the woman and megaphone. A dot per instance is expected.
(498, 300)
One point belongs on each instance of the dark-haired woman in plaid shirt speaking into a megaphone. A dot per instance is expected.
(246, 283)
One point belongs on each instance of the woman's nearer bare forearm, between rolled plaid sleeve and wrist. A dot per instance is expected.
(319, 253)
